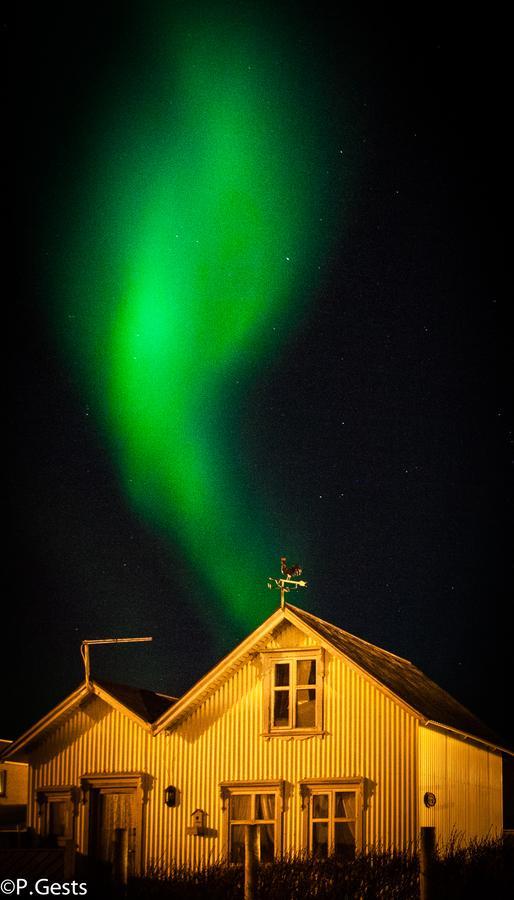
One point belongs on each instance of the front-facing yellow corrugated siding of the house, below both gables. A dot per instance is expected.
(368, 735)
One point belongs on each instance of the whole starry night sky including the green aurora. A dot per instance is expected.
(350, 170)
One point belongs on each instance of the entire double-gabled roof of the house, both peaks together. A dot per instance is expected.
(155, 711)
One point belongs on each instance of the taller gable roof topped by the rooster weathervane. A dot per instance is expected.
(398, 676)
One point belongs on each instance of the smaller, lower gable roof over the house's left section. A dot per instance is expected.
(139, 704)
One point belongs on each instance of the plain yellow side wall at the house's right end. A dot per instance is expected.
(467, 782)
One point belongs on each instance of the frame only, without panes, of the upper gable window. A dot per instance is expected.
(269, 659)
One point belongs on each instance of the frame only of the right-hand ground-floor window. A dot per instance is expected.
(309, 789)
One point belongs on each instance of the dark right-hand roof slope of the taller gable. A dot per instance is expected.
(401, 677)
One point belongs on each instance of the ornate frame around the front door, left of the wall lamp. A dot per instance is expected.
(128, 782)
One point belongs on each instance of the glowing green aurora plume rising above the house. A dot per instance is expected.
(194, 230)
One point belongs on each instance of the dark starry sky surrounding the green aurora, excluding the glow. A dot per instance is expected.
(398, 387)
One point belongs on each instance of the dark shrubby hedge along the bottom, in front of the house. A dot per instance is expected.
(483, 869)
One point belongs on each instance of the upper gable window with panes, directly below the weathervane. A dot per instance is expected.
(293, 692)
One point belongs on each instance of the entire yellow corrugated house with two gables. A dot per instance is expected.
(324, 741)
